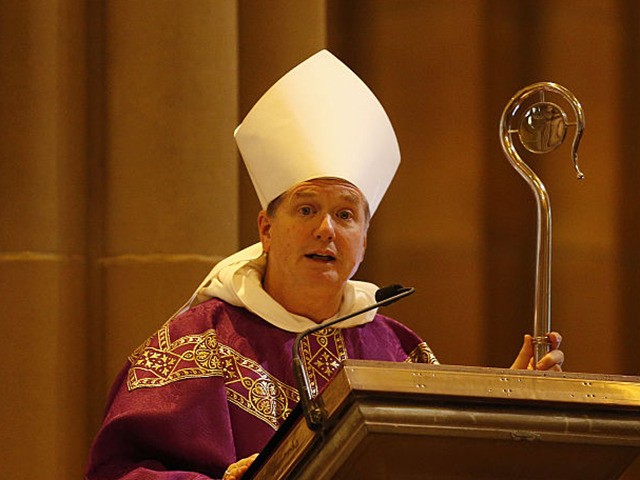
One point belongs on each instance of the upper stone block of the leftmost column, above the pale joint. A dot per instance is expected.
(43, 131)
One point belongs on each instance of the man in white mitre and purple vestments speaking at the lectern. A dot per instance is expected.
(207, 391)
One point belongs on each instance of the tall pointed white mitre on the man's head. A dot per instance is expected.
(319, 120)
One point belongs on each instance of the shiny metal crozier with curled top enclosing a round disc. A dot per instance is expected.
(542, 128)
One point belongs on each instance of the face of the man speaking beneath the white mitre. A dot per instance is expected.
(317, 234)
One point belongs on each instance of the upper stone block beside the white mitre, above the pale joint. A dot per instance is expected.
(170, 109)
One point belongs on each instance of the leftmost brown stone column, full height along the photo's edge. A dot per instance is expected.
(42, 242)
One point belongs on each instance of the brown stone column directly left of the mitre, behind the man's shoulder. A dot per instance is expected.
(169, 165)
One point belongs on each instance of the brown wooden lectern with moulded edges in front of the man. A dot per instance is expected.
(411, 421)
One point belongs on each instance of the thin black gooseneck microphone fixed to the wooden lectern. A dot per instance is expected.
(313, 411)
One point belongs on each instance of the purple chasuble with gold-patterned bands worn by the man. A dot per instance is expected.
(213, 385)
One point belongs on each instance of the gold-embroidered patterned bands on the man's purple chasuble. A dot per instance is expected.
(248, 385)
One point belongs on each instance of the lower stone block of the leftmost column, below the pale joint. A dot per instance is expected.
(44, 368)
